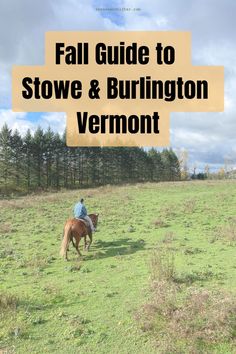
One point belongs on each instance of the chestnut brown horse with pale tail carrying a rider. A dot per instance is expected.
(74, 230)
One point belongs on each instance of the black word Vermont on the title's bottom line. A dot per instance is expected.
(117, 124)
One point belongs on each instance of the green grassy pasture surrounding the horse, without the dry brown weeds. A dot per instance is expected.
(48, 305)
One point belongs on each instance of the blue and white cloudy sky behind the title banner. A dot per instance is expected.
(210, 138)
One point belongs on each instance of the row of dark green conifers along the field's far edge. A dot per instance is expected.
(42, 161)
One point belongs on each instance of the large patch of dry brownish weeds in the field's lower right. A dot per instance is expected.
(185, 319)
